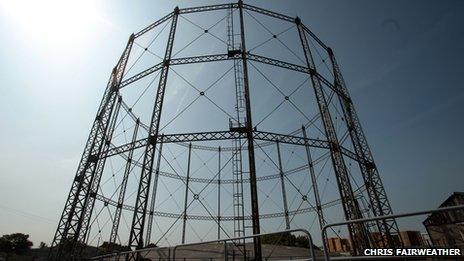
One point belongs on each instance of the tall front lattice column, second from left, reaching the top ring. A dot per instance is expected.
(140, 210)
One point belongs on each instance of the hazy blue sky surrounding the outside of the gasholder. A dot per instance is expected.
(402, 60)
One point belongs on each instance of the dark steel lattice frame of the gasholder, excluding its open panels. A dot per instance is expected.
(74, 223)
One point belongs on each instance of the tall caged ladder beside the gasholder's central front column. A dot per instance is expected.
(238, 124)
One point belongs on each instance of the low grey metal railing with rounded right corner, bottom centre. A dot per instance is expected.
(224, 241)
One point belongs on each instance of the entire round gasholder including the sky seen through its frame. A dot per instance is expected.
(141, 181)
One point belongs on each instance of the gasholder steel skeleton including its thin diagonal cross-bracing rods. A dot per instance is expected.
(329, 92)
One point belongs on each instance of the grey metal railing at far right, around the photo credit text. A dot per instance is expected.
(361, 220)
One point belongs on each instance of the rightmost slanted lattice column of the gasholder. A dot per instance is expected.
(377, 196)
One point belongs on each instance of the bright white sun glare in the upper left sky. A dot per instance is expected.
(58, 21)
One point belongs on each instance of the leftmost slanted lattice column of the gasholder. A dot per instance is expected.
(71, 218)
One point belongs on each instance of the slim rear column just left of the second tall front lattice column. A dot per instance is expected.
(122, 189)
